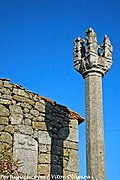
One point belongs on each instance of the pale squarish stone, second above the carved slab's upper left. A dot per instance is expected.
(16, 118)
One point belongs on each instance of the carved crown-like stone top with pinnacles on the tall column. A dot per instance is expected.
(91, 57)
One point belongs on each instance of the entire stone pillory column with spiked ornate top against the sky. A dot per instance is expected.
(92, 62)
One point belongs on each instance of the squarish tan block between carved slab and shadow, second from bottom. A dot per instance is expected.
(44, 158)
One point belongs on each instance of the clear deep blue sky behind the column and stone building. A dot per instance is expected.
(36, 51)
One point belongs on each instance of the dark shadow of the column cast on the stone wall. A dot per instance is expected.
(57, 122)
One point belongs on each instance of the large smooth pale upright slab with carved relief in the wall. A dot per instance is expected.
(26, 149)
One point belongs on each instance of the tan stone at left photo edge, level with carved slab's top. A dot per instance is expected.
(5, 137)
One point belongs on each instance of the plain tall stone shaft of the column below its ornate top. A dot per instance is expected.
(94, 127)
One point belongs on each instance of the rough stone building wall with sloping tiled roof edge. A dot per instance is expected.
(43, 134)
